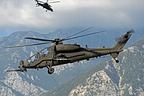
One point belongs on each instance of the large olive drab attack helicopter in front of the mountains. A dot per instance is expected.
(59, 53)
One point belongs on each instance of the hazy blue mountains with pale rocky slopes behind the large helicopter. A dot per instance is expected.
(86, 77)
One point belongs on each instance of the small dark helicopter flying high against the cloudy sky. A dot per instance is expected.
(46, 5)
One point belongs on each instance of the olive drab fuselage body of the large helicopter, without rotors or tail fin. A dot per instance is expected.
(66, 53)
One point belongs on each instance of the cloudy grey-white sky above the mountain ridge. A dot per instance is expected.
(16, 15)
